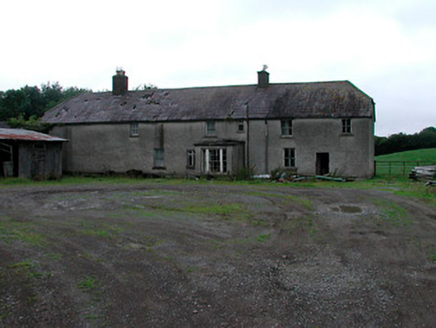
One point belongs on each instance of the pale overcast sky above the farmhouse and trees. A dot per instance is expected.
(387, 48)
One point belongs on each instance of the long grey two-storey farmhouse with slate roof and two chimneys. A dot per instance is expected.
(316, 127)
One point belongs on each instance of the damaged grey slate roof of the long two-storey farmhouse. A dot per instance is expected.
(290, 100)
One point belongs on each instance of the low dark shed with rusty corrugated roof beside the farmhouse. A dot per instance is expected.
(30, 154)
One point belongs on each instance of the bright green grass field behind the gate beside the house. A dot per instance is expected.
(402, 163)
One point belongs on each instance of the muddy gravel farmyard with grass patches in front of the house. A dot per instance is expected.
(162, 255)
